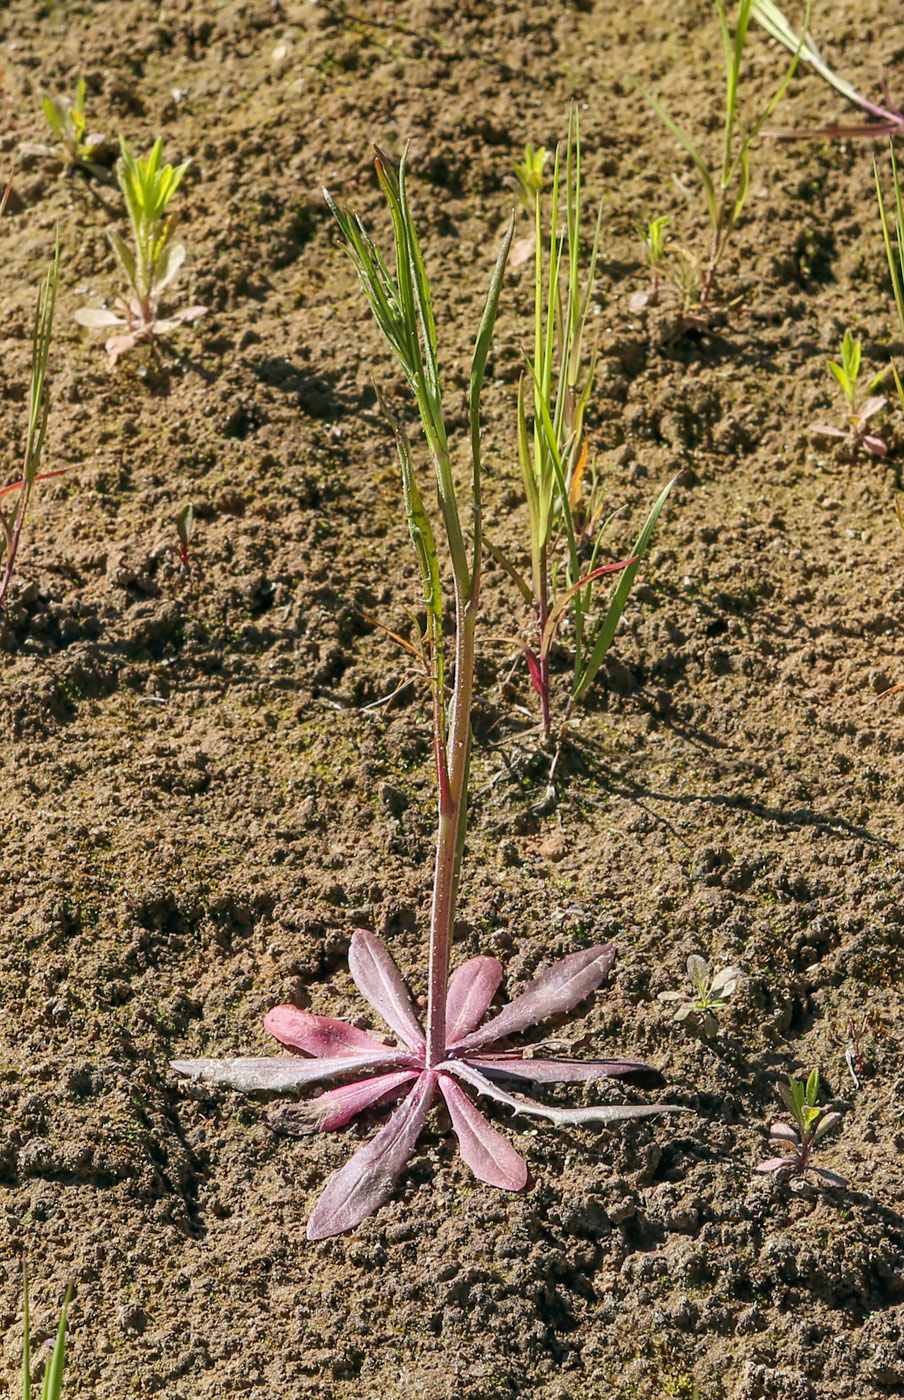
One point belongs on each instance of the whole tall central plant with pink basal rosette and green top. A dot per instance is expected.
(454, 1053)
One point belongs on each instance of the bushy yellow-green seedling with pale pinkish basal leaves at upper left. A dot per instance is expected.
(152, 265)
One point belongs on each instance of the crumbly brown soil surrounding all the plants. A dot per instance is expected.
(202, 801)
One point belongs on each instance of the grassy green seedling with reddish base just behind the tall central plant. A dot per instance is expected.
(567, 524)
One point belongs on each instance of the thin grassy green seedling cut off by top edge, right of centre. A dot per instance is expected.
(726, 190)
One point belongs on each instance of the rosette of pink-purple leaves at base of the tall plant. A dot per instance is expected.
(377, 1073)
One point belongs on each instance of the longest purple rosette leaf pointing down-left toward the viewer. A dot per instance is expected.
(369, 1178)
